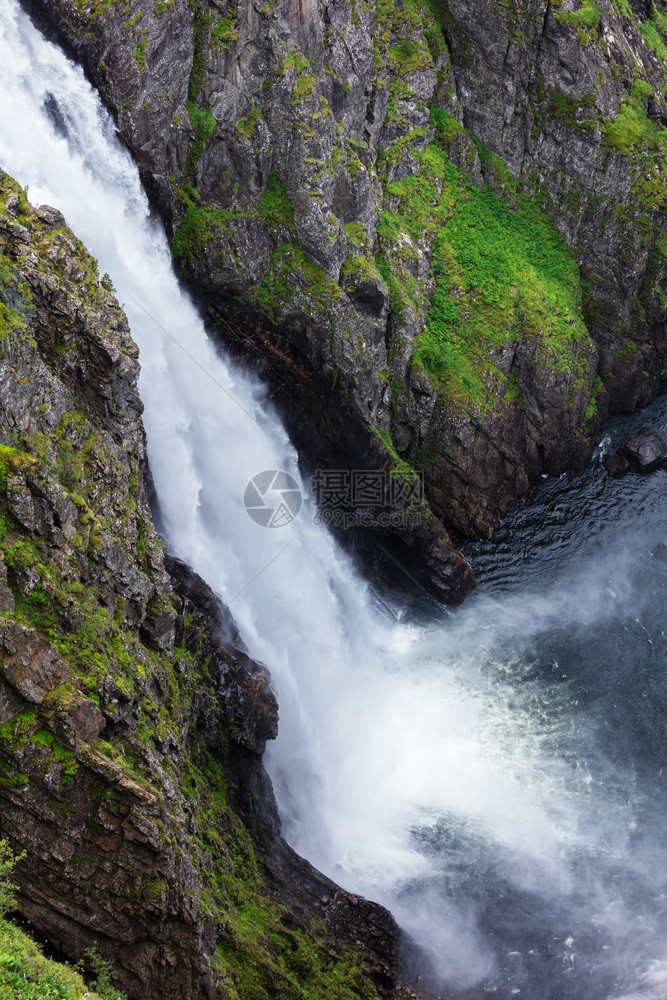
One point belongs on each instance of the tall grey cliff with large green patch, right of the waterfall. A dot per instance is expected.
(437, 224)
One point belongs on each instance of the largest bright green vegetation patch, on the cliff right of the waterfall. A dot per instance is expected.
(500, 274)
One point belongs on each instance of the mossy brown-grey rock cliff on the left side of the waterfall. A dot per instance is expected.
(132, 720)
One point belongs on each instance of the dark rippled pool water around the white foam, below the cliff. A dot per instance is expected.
(598, 666)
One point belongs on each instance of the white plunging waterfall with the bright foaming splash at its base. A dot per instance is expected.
(393, 732)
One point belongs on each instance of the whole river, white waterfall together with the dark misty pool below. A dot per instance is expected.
(494, 776)
